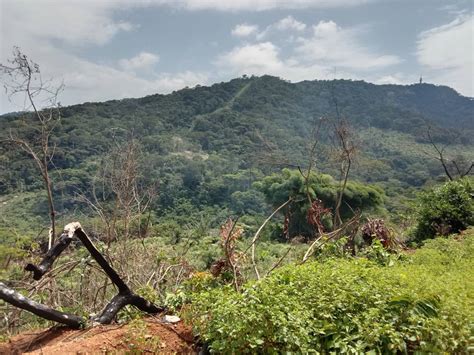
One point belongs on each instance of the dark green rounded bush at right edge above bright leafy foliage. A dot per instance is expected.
(445, 209)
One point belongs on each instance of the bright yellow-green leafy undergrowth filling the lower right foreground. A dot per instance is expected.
(421, 303)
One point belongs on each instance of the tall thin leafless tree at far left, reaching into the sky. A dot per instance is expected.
(22, 76)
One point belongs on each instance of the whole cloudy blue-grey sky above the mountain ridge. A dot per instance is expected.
(114, 49)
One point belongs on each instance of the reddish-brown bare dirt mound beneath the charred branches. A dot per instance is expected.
(142, 336)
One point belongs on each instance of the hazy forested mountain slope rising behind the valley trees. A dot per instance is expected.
(205, 146)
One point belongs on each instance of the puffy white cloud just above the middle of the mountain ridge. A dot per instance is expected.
(313, 56)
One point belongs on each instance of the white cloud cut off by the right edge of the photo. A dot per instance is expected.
(447, 54)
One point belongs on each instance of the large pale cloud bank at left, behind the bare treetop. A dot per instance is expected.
(47, 30)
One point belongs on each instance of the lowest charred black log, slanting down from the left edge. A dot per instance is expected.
(18, 300)
